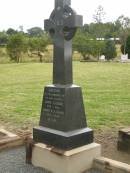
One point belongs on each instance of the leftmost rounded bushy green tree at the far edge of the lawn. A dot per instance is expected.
(16, 46)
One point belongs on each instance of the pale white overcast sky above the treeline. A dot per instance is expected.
(30, 13)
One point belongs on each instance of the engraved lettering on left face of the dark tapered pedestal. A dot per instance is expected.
(53, 104)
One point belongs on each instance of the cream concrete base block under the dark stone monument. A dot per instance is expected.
(58, 161)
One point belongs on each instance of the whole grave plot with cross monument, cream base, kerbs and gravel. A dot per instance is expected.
(63, 142)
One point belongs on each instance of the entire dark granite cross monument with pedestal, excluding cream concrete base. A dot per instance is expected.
(63, 121)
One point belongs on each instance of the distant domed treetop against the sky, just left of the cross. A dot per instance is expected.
(35, 32)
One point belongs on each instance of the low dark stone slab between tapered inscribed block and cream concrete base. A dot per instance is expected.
(63, 140)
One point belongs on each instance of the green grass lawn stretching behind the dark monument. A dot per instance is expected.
(106, 91)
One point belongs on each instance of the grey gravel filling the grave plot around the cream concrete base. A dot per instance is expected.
(13, 161)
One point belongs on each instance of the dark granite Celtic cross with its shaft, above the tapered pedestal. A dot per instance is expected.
(62, 26)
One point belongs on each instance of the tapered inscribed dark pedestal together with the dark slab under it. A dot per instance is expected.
(63, 120)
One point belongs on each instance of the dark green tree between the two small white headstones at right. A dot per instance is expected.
(109, 50)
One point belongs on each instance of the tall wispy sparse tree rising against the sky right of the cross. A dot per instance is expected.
(99, 15)
